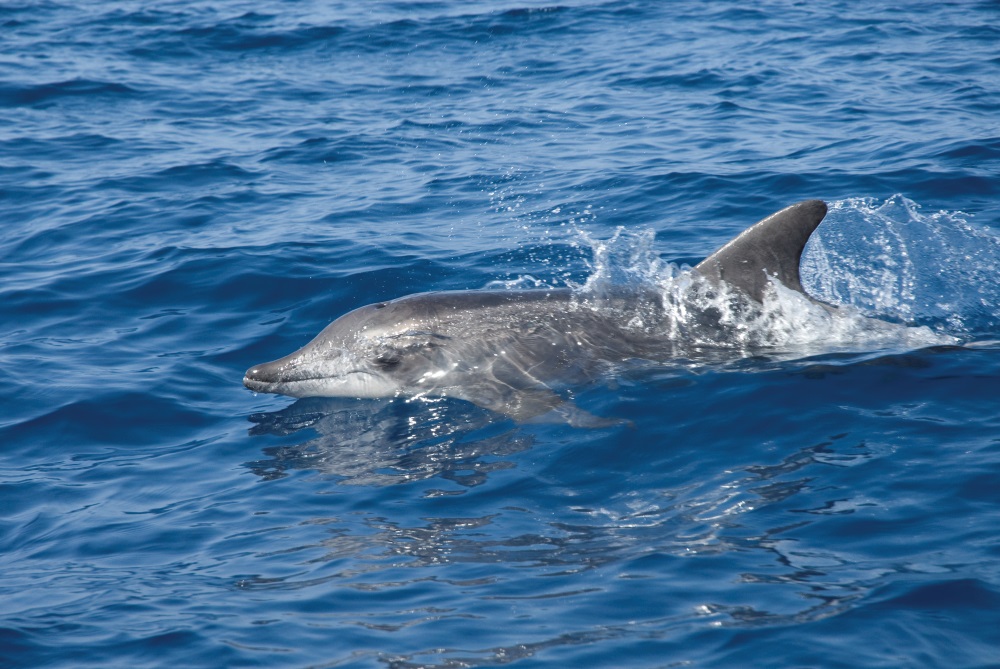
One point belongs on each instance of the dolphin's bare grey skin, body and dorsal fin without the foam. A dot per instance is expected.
(509, 351)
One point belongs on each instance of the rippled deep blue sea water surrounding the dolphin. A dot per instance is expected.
(189, 188)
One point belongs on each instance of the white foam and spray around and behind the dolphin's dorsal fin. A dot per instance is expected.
(883, 300)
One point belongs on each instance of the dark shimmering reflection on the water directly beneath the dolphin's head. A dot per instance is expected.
(388, 442)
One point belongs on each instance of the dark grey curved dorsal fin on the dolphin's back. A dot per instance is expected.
(771, 247)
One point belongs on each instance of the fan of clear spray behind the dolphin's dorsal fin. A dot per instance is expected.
(893, 262)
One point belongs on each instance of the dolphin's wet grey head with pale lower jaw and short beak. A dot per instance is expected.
(379, 350)
